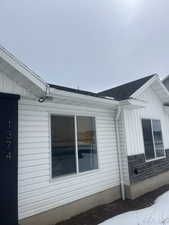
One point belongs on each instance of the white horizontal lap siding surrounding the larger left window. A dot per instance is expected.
(37, 191)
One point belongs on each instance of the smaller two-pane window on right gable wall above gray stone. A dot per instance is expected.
(153, 141)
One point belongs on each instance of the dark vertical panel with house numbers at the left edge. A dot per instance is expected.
(8, 159)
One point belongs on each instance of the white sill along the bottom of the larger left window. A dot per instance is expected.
(73, 175)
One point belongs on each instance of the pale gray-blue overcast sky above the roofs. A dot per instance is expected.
(90, 44)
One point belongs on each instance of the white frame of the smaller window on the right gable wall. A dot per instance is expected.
(155, 154)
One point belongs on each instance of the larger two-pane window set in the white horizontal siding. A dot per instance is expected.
(73, 141)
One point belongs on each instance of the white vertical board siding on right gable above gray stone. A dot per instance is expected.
(133, 127)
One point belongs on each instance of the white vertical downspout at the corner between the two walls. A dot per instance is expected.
(119, 153)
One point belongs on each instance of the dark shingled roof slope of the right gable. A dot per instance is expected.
(125, 91)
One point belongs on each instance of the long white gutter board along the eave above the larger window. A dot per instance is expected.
(60, 94)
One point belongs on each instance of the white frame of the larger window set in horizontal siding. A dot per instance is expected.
(77, 173)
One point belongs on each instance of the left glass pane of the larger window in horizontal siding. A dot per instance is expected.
(63, 145)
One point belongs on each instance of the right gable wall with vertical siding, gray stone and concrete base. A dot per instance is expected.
(145, 175)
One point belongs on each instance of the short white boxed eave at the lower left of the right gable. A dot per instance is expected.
(132, 104)
